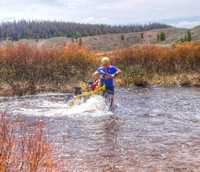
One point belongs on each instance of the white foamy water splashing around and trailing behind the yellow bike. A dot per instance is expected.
(95, 106)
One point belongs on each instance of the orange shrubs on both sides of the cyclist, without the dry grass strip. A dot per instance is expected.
(68, 64)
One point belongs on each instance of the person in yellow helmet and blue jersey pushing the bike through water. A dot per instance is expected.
(107, 69)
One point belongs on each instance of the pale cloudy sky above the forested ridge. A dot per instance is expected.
(179, 13)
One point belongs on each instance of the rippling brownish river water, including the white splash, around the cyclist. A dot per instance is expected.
(152, 129)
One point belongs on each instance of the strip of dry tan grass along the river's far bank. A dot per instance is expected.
(24, 88)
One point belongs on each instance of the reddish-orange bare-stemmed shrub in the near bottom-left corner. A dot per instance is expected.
(24, 148)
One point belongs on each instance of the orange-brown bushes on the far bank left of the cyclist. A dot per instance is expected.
(23, 66)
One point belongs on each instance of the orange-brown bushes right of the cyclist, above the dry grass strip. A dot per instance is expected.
(144, 61)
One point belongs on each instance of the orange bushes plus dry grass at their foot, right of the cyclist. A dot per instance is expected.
(143, 63)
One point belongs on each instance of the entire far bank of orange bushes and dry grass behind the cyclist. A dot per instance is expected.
(28, 70)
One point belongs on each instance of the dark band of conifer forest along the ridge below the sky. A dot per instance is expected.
(23, 29)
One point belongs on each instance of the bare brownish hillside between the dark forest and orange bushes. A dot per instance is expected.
(112, 41)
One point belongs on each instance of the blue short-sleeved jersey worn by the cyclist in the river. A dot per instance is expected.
(111, 70)
